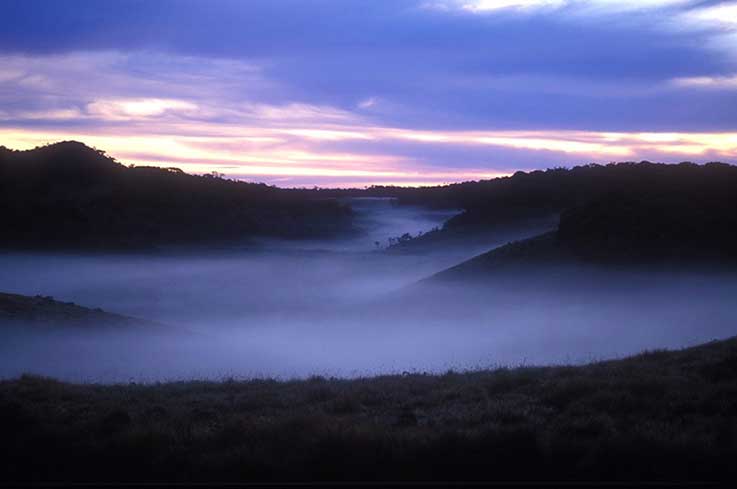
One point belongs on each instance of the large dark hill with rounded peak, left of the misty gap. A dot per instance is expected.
(68, 195)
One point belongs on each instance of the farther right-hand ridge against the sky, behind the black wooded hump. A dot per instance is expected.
(501, 207)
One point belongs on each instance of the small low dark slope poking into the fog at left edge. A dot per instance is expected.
(21, 310)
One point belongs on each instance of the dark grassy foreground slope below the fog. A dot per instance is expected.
(660, 415)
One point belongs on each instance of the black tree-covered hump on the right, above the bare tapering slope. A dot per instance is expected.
(696, 222)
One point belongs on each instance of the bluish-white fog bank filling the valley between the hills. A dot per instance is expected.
(293, 309)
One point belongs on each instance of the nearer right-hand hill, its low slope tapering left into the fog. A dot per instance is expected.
(674, 228)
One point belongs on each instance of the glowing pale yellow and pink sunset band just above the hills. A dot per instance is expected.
(263, 159)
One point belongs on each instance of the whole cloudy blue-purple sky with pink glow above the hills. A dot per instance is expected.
(352, 93)
